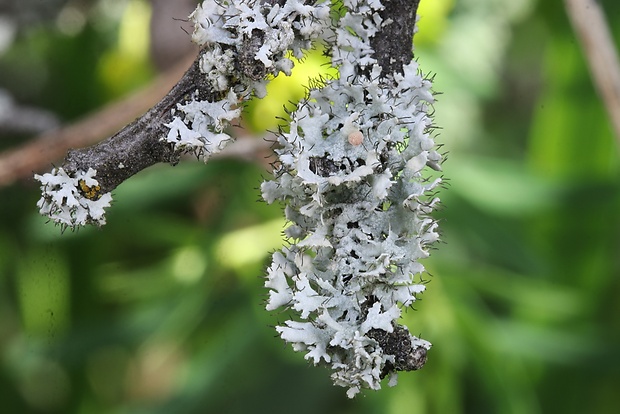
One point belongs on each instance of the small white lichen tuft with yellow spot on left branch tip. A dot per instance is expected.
(72, 200)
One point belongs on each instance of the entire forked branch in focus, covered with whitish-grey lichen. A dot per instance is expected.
(352, 169)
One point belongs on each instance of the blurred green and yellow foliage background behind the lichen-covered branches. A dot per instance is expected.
(161, 310)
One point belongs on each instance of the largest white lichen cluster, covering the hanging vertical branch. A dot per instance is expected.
(351, 174)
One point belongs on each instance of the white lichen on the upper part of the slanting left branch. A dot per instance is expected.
(226, 30)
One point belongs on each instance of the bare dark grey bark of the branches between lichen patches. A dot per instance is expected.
(140, 145)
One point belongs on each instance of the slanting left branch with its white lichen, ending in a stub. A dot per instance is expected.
(242, 43)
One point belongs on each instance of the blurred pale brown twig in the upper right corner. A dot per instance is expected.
(588, 20)
